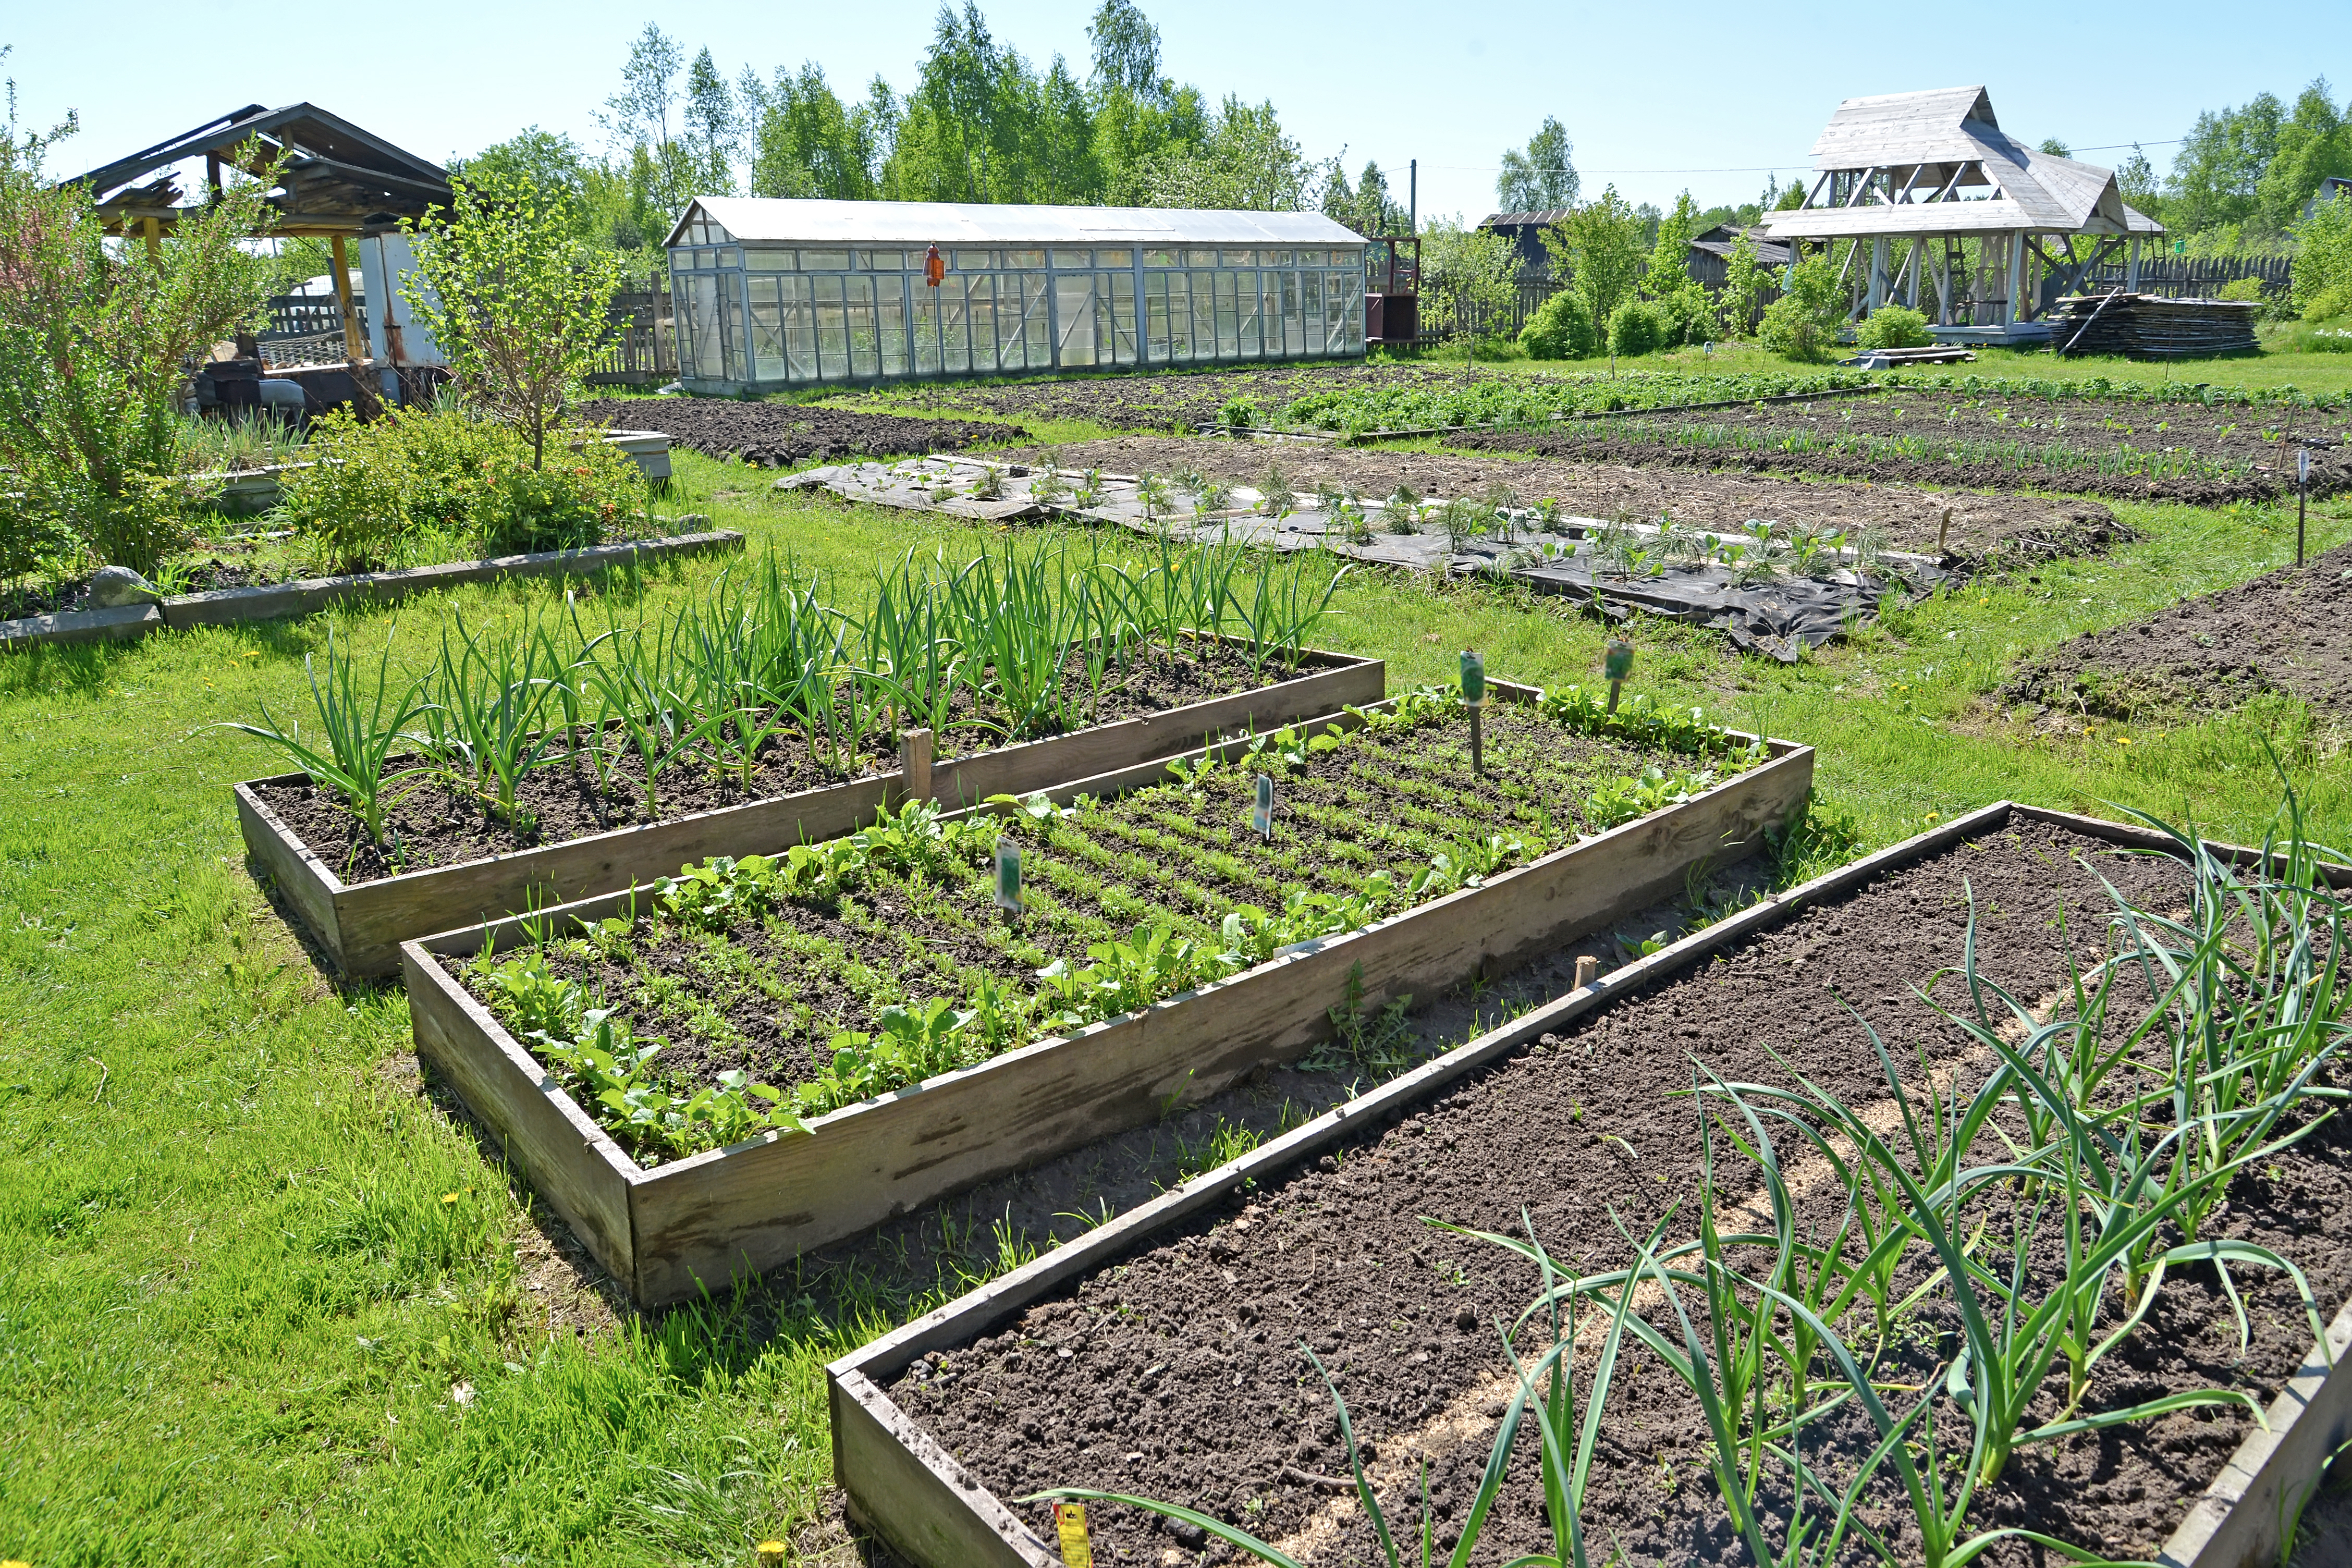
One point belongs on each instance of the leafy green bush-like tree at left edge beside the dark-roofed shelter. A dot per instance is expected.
(93, 349)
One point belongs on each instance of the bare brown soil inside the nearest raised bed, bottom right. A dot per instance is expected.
(1177, 1374)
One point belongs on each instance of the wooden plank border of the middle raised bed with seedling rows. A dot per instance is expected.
(714, 1217)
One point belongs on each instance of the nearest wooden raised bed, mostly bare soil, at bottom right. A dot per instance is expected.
(1161, 1355)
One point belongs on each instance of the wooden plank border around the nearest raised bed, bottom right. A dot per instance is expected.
(2236, 1525)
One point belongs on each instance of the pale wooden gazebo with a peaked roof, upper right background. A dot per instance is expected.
(1949, 215)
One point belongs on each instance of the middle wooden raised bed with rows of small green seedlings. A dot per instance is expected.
(1132, 892)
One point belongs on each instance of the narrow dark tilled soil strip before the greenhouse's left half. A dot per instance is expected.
(782, 434)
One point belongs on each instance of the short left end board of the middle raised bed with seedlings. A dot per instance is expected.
(561, 1151)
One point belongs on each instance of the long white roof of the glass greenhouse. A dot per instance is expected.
(815, 222)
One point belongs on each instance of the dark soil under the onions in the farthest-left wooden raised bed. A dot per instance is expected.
(446, 826)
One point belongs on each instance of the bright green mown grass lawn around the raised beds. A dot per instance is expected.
(262, 1301)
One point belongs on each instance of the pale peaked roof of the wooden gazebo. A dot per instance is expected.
(1939, 135)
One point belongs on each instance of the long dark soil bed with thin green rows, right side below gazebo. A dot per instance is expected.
(2125, 450)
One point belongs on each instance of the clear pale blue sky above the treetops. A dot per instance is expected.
(1690, 95)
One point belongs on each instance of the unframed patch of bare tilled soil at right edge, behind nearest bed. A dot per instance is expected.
(2285, 631)
